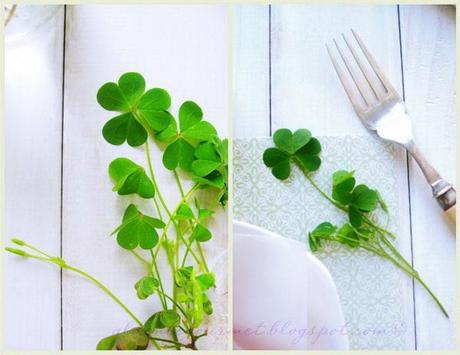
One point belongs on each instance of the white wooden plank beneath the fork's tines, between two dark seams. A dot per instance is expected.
(307, 93)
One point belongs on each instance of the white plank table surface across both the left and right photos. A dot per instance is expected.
(57, 191)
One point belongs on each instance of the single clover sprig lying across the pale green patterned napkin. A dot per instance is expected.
(358, 201)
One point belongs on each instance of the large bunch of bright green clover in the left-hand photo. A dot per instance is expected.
(192, 145)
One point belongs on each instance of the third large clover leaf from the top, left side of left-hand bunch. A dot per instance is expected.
(138, 229)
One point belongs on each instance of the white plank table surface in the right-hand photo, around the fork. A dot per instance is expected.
(284, 78)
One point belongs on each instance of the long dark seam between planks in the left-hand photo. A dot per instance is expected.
(62, 173)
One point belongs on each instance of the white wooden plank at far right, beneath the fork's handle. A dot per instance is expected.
(428, 46)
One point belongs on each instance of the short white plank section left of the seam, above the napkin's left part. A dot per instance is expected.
(251, 101)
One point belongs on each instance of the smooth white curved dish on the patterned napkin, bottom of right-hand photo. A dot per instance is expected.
(283, 297)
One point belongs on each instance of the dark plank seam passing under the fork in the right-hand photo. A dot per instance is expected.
(408, 180)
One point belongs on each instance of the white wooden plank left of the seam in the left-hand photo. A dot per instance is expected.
(33, 96)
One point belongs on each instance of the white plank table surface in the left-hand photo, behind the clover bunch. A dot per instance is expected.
(58, 194)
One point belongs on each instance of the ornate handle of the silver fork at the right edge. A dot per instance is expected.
(443, 192)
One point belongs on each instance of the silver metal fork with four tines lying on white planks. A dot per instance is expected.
(382, 110)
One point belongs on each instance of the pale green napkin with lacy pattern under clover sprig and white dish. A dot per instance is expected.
(375, 296)
